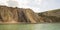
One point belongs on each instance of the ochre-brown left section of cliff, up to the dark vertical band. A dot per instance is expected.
(8, 14)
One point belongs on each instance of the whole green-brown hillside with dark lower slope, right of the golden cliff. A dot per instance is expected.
(53, 16)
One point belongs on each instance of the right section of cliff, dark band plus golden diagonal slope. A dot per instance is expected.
(28, 16)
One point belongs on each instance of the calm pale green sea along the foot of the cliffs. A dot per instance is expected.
(42, 26)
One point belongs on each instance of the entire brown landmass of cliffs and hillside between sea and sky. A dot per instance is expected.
(21, 15)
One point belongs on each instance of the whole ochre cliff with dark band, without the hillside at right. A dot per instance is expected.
(10, 14)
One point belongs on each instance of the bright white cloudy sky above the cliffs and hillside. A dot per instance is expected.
(35, 5)
